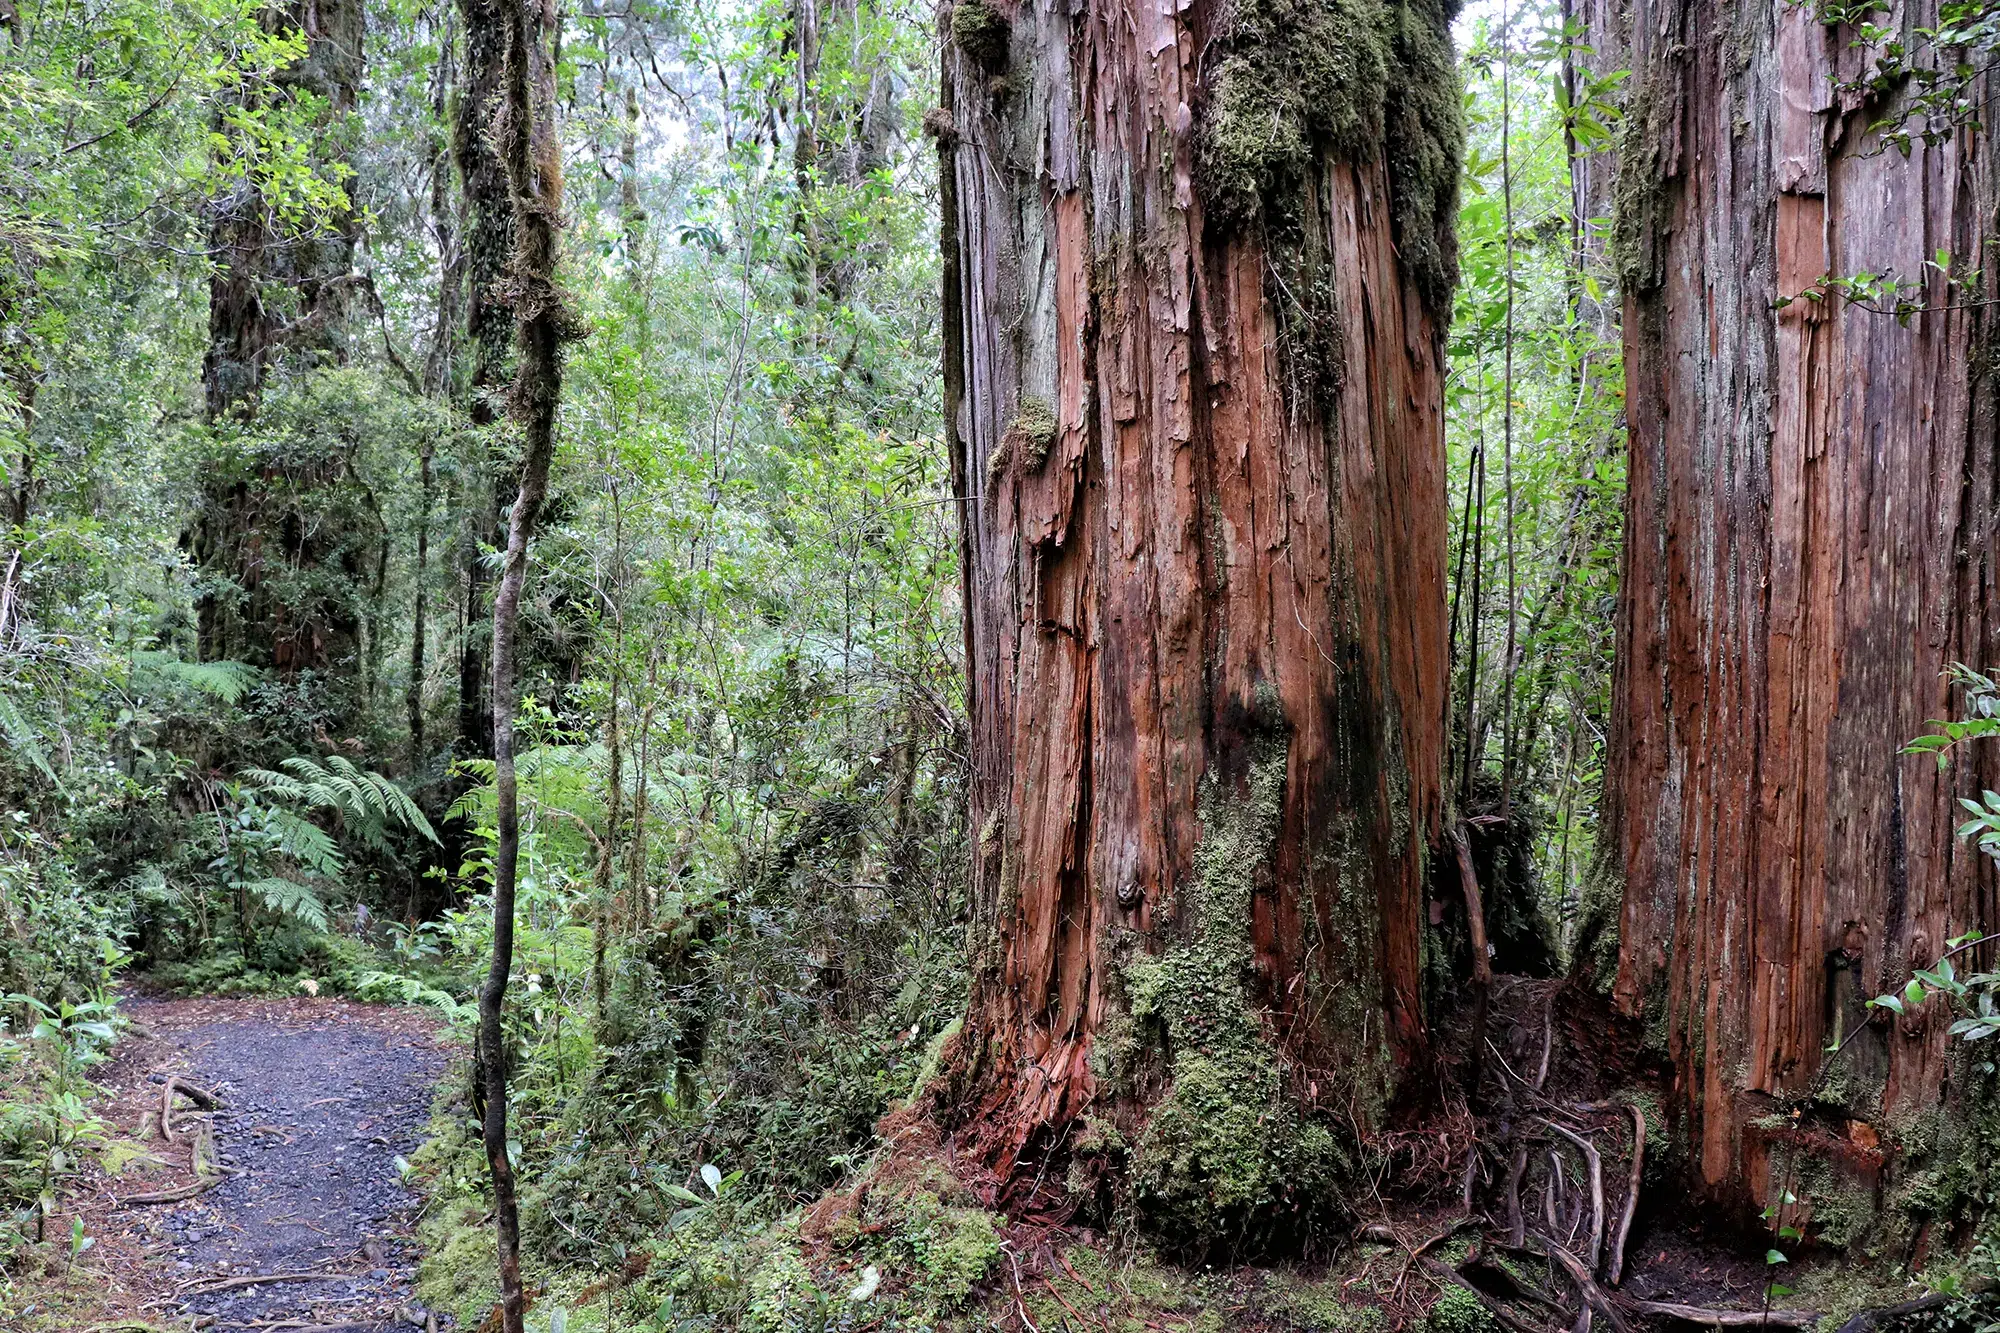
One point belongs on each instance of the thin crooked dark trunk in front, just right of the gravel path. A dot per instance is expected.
(533, 155)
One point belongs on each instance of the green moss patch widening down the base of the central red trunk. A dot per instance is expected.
(1227, 1144)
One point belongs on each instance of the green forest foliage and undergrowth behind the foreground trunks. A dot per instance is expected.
(255, 467)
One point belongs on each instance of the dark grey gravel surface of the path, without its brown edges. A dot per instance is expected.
(319, 1104)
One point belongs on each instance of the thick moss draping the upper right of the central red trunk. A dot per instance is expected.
(1353, 79)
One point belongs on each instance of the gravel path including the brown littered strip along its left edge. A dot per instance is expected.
(309, 1228)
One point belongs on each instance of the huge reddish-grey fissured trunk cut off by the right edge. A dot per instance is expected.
(1809, 543)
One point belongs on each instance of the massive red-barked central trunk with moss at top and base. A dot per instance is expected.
(1197, 269)
